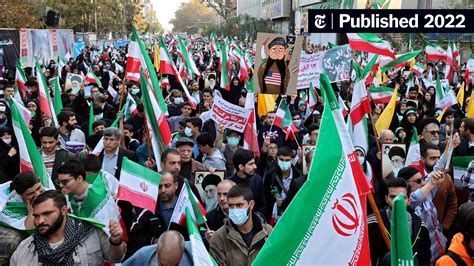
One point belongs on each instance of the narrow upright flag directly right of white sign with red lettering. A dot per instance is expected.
(250, 130)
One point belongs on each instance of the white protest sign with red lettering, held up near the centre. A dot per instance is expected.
(231, 116)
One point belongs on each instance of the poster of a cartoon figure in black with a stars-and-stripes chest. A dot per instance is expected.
(276, 63)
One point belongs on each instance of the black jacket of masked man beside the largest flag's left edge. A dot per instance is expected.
(270, 182)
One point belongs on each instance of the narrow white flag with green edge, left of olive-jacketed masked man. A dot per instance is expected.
(198, 250)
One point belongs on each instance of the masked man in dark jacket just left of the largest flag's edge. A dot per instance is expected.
(281, 183)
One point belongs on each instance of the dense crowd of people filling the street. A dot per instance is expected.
(257, 186)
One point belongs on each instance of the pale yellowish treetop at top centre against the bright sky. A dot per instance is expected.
(192, 16)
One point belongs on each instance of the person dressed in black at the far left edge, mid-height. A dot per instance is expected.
(10, 162)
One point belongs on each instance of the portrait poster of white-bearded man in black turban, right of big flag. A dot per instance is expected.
(393, 158)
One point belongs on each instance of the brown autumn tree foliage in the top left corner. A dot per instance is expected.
(19, 15)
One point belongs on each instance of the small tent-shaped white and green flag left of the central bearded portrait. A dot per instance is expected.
(187, 199)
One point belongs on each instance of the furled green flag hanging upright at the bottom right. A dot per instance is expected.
(401, 252)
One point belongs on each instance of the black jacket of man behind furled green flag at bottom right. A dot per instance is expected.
(420, 238)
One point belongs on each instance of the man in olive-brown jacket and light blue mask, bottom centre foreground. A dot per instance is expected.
(240, 240)
